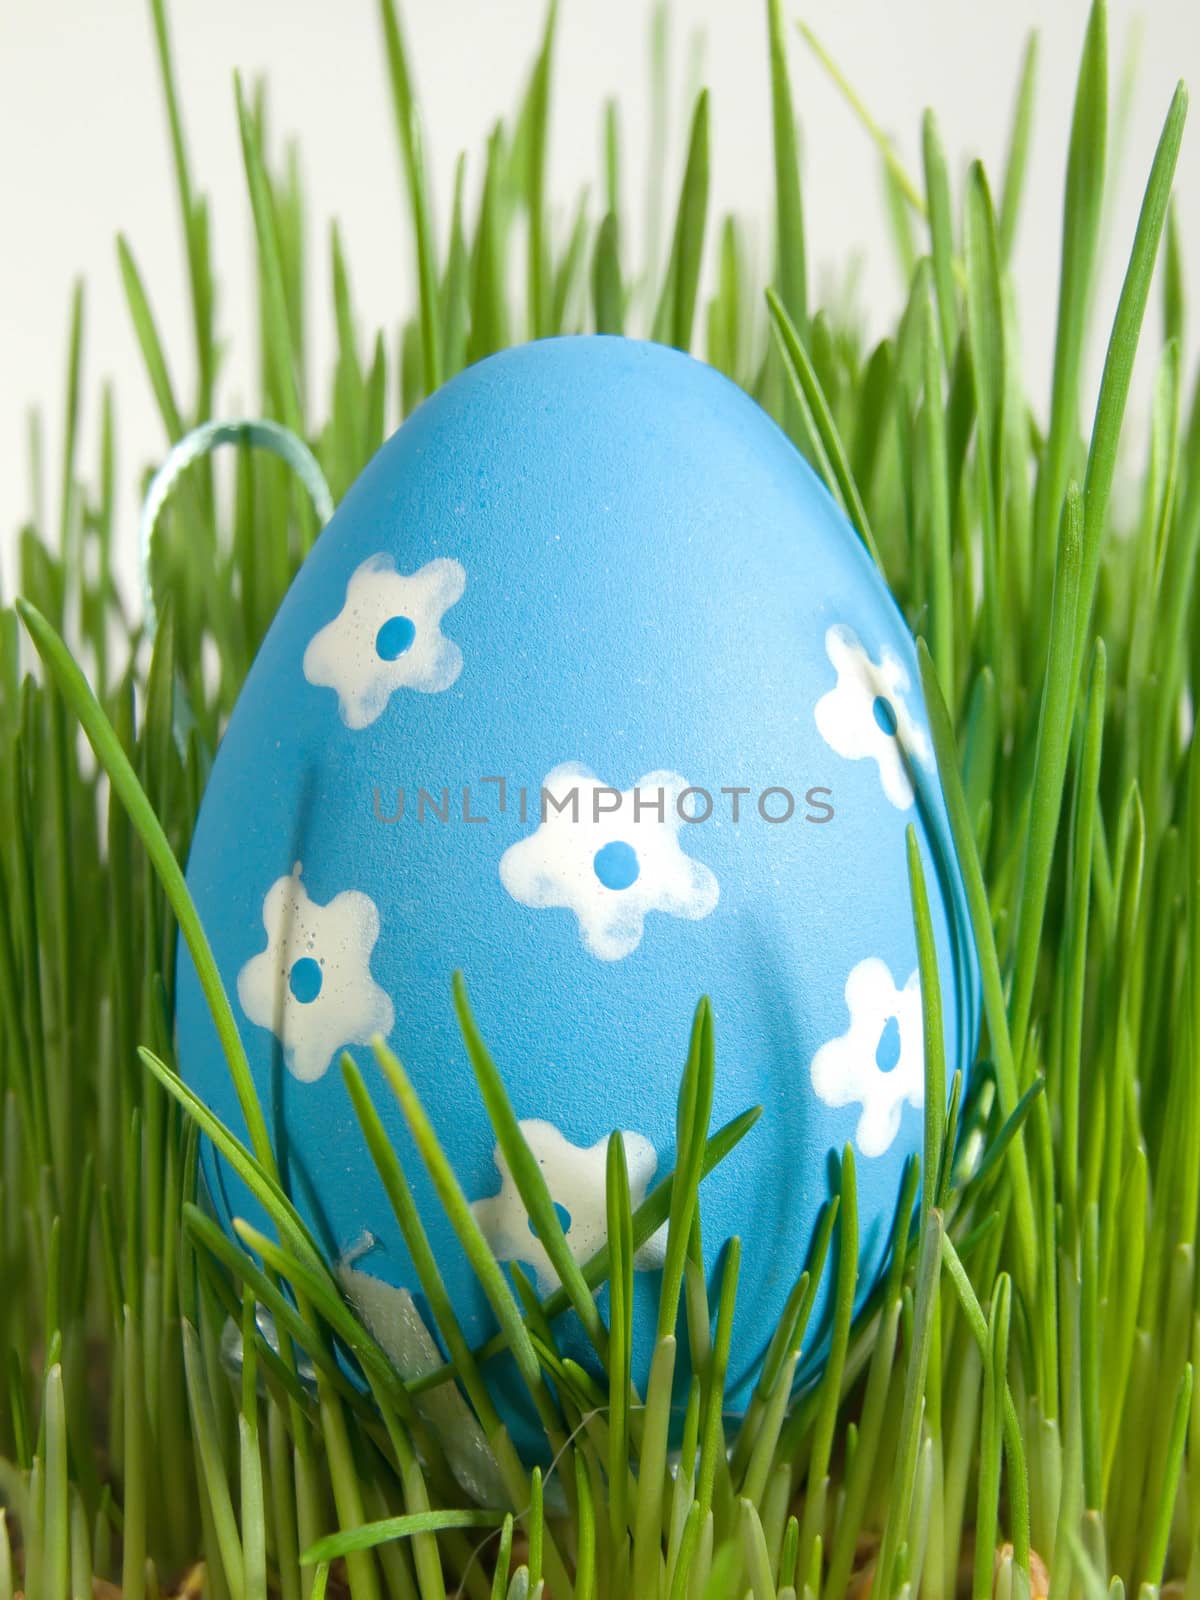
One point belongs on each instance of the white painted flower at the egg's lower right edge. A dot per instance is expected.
(886, 1026)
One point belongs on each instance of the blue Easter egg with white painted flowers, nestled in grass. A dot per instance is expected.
(588, 690)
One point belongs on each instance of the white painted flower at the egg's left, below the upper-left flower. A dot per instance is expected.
(313, 985)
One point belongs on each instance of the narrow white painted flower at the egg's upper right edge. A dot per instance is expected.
(868, 714)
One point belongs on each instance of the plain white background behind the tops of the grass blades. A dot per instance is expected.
(84, 156)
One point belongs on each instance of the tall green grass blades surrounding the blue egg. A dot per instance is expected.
(1020, 1393)
